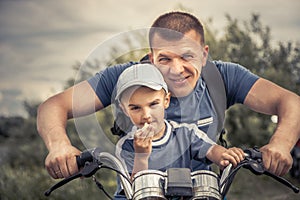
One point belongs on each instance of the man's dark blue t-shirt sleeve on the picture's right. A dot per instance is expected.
(238, 81)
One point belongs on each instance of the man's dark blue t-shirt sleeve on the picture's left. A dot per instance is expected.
(104, 82)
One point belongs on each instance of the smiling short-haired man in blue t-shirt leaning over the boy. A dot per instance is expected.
(180, 58)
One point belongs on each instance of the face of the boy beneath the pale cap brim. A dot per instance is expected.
(145, 105)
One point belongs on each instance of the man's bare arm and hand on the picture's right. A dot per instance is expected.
(269, 98)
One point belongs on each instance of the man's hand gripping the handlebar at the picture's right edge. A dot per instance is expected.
(277, 159)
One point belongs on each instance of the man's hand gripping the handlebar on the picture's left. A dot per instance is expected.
(61, 162)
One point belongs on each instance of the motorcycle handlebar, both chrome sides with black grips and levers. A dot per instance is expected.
(90, 161)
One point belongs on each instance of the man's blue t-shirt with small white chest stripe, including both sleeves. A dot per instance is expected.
(195, 108)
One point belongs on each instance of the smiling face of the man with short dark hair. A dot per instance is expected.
(180, 61)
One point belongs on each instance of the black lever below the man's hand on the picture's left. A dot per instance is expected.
(89, 169)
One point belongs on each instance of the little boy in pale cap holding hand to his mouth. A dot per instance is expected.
(155, 143)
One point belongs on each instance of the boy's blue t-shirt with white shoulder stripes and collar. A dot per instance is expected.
(180, 144)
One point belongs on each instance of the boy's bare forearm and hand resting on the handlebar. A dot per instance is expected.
(222, 156)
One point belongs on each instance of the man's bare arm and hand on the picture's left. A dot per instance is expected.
(52, 117)
